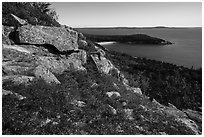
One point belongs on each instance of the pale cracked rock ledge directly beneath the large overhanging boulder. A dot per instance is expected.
(19, 60)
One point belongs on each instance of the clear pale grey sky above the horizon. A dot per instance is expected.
(129, 14)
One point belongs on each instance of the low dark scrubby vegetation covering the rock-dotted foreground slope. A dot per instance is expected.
(53, 109)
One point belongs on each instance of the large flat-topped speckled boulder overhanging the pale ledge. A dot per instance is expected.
(63, 39)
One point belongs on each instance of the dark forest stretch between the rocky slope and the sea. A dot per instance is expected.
(165, 82)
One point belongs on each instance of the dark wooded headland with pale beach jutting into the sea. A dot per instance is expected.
(129, 39)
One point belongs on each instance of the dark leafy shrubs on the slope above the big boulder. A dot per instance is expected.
(36, 13)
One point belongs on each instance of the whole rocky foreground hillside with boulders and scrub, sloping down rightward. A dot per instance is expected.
(57, 82)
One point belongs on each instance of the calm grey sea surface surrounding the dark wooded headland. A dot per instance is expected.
(187, 50)
